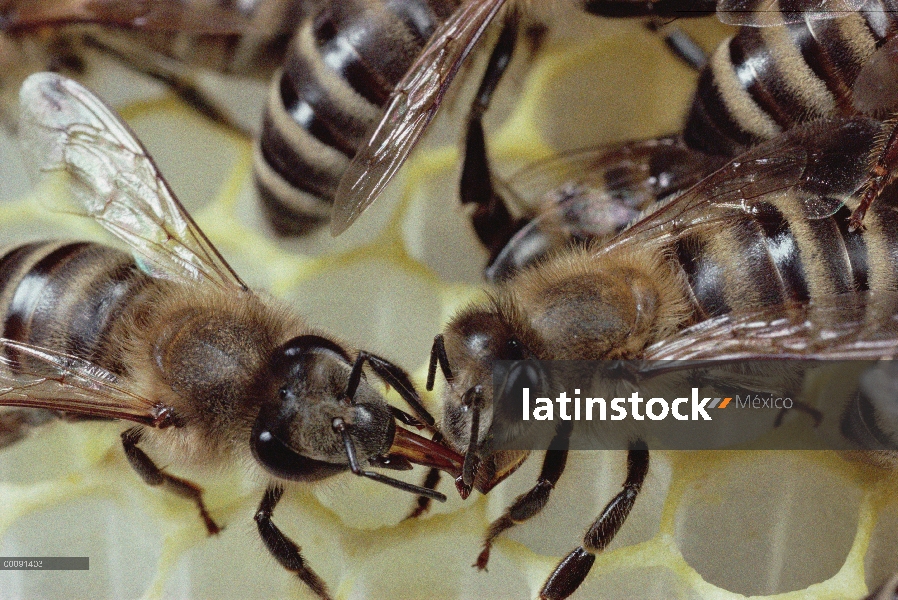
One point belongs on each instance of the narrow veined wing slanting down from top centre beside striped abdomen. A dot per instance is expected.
(410, 109)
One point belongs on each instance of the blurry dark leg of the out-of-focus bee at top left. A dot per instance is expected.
(168, 72)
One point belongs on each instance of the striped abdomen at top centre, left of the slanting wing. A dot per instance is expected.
(341, 67)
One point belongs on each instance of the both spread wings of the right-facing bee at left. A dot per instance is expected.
(67, 130)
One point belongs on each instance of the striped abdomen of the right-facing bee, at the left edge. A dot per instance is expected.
(66, 295)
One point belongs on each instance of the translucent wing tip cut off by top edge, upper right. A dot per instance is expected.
(770, 13)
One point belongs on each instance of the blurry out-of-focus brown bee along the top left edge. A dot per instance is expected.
(168, 40)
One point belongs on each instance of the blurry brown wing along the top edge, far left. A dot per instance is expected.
(146, 15)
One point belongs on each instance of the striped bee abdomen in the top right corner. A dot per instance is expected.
(766, 80)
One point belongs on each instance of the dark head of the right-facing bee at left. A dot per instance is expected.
(308, 390)
